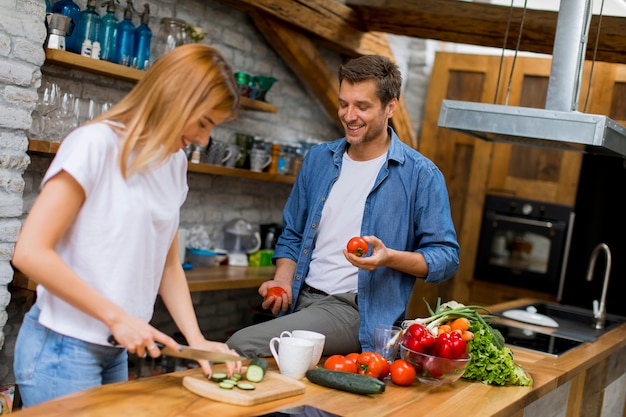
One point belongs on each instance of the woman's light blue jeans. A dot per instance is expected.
(49, 365)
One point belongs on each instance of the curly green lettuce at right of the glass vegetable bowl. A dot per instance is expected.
(492, 363)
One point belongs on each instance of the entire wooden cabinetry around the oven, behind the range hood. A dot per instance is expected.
(474, 167)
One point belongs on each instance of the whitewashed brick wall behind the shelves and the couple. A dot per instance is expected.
(212, 200)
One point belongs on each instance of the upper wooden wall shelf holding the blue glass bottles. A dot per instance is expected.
(100, 67)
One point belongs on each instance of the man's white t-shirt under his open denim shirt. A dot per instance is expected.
(342, 215)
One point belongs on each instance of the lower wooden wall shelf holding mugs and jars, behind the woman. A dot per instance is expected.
(50, 148)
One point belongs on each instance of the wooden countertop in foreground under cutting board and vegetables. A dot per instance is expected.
(165, 395)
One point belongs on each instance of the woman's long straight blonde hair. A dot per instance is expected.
(181, 86)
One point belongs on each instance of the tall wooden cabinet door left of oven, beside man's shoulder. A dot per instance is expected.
(463, 159)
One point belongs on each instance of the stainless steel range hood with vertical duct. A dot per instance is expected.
(558, 126)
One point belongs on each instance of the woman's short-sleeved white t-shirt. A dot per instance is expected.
(119, 239)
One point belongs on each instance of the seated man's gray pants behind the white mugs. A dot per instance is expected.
(336, 316)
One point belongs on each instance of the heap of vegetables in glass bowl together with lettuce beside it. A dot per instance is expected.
(456, 324)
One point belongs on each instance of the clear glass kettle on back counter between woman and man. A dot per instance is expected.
(240, 239)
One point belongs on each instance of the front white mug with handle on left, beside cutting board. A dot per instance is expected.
(292, 355)
